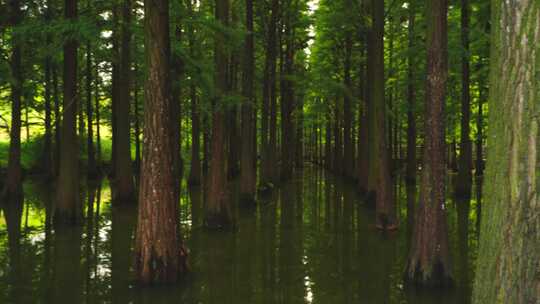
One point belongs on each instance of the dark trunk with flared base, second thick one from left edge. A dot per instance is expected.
(68, 210)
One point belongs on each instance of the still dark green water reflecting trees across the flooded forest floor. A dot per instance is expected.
(313, 241)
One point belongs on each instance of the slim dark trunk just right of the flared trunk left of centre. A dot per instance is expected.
(248, 174)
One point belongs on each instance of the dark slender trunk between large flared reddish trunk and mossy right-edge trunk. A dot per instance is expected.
(464, 181)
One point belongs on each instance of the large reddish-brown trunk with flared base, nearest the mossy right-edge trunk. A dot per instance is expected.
(428, 262)
